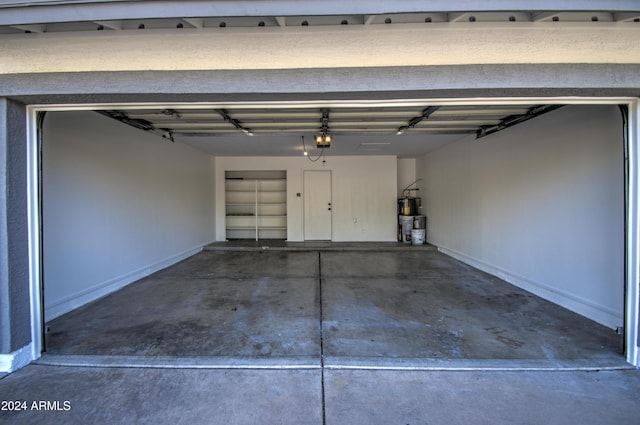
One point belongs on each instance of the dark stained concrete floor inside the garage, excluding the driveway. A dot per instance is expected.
(364, 307)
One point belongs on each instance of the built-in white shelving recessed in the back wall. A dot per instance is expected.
(256, 204)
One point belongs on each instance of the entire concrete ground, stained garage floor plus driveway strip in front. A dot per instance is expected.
(293, 335)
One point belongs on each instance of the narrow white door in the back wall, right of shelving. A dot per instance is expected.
(317, 205)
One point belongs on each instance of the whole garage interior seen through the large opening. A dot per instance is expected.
(524, 258)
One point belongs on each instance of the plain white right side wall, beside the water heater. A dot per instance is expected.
(540, 205)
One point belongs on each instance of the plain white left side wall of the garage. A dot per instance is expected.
(118, 204)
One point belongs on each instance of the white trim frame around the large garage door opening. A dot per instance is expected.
(632, 219)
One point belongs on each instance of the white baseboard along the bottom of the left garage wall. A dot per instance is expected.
(74, 301)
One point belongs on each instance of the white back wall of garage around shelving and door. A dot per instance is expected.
(363, 194)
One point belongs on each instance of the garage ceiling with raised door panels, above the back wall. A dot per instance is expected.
(258, 130)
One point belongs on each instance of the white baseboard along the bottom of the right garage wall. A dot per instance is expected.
(596, 312)
